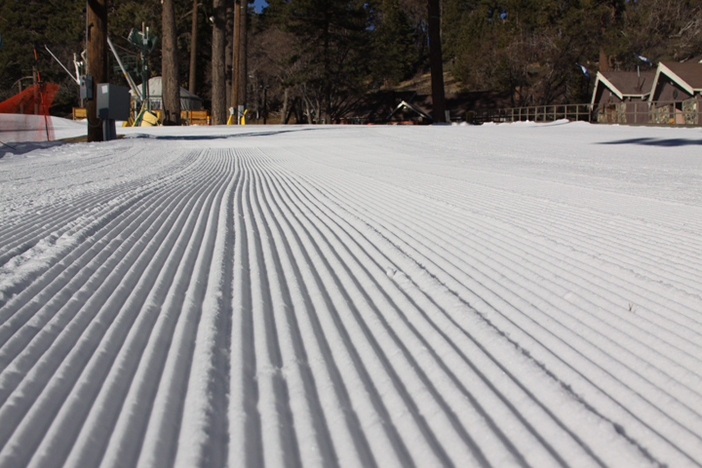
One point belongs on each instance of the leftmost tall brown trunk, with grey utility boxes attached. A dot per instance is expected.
(97, 62)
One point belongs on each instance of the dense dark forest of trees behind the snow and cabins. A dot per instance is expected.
(311, 59)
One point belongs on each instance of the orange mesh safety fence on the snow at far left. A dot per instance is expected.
(25, 116)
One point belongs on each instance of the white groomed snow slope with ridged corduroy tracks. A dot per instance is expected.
(494, 296)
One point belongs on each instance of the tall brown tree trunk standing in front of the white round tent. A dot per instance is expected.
(169, 66)
